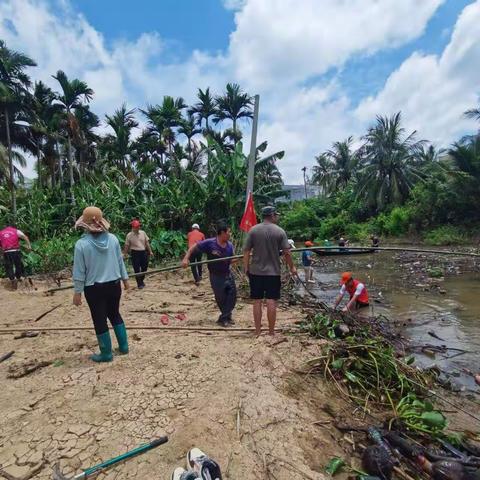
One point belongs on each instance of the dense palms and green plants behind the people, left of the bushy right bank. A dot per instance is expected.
(166, 174)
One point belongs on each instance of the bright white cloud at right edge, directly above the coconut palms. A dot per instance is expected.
(433, 91)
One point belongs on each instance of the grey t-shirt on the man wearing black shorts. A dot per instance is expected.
(266, 240)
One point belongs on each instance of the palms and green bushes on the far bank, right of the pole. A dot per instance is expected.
(392, 185)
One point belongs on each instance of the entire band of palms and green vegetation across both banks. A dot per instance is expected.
(188, 165)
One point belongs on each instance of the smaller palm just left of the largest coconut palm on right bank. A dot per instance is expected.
(336, 167)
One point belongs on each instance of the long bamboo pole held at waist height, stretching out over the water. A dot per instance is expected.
(334, 249)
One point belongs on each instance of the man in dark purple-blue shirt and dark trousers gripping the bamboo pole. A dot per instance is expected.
(221, 278)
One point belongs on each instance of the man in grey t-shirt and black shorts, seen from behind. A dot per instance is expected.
(264, 241)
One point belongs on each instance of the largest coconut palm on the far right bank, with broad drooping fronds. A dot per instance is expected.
(390, 163)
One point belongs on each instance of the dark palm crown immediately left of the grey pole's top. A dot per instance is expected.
(233, 105)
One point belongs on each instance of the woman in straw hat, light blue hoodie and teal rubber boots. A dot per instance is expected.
(97, 270)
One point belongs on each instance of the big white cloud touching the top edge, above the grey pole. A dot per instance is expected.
(288, 40)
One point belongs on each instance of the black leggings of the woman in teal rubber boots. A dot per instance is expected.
(104, 302)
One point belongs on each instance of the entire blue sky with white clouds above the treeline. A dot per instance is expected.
(324, 69)
